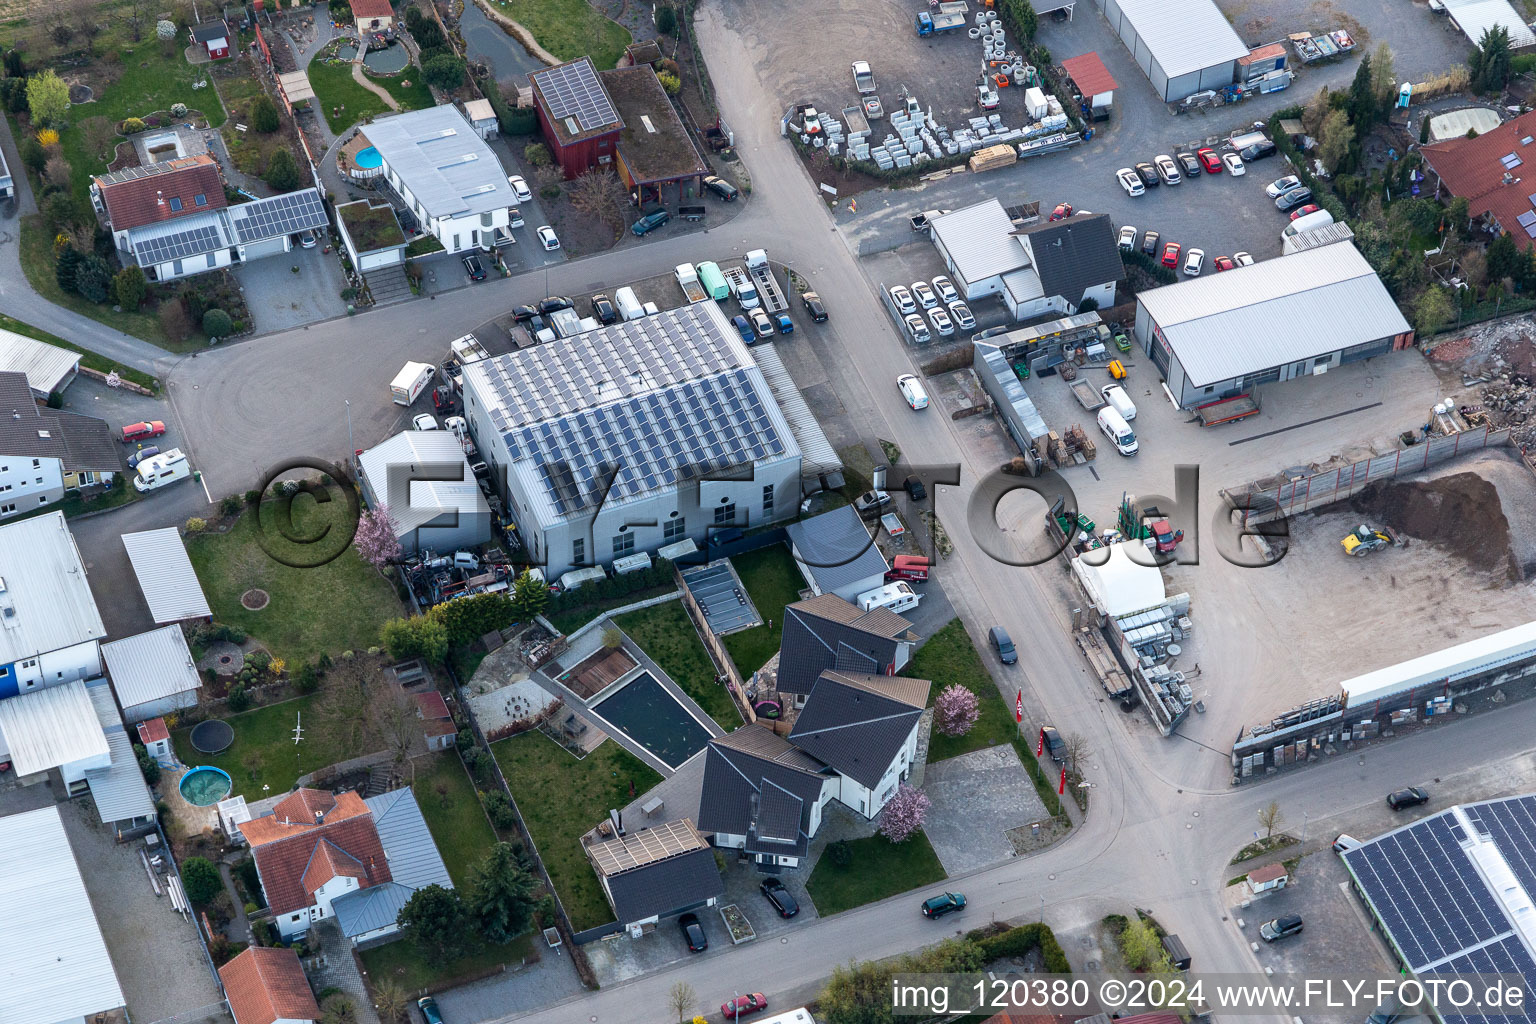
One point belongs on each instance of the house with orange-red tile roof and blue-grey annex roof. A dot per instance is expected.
(334, 856)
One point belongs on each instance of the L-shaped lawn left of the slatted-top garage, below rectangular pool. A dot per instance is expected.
(561, 799)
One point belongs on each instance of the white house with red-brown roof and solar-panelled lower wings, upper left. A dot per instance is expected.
(173, 220)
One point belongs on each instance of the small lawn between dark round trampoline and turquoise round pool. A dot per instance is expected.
(270, 733)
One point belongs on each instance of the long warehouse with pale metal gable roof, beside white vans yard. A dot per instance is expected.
(1279, 320)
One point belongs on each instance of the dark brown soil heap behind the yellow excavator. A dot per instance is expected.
(1460, 514)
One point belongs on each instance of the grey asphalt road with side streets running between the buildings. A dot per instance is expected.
(1165, 821)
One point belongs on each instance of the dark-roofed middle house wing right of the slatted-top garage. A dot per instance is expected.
(764, 796)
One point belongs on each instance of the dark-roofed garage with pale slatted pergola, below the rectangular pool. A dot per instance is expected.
(654, 874)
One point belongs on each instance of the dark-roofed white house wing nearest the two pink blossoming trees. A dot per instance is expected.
(864, 728)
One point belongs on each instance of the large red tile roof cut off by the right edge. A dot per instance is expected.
(1497, 174)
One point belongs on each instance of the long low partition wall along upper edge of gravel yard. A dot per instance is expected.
(1268, 503)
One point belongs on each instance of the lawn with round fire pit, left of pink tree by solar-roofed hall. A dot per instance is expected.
(326, 610)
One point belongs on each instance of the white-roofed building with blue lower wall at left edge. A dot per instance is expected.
(53, 626)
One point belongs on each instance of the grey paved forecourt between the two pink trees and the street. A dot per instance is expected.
(978, 798)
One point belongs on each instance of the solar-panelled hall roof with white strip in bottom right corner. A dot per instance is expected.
(1454, 894)
